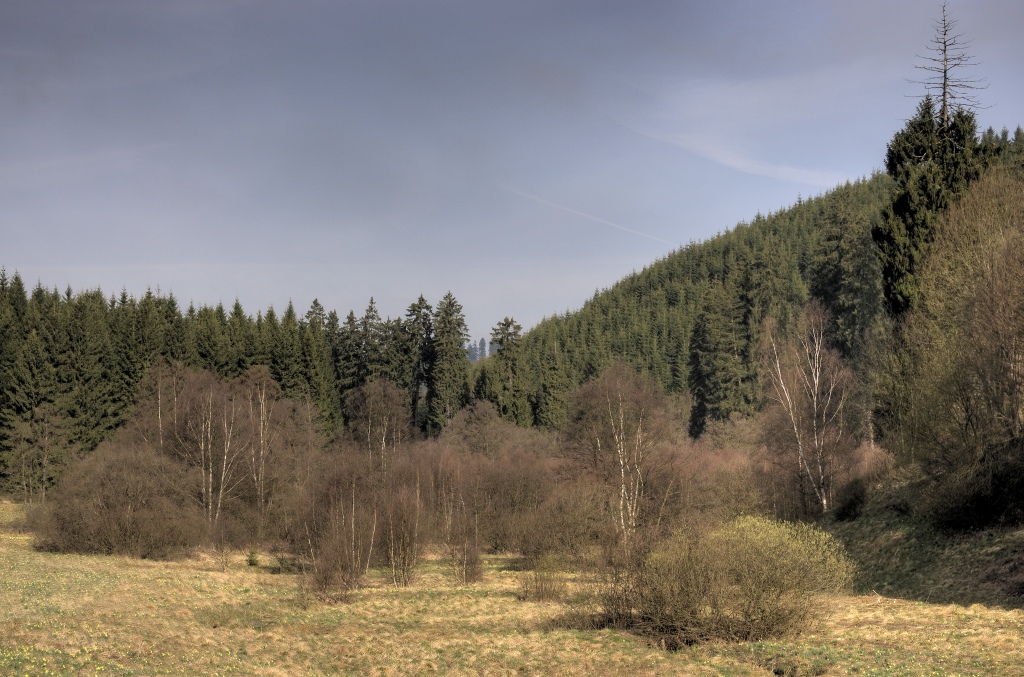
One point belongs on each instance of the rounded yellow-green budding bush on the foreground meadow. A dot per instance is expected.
(751, 580)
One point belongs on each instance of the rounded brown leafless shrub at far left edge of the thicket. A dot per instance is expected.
(122, 500)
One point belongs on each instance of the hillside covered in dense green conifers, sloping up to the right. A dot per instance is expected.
(697, 314)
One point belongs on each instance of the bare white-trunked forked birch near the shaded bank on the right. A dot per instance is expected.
(813, 390)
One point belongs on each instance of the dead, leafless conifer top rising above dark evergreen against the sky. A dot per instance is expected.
(949, 55)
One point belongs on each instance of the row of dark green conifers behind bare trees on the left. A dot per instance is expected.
(71, 365)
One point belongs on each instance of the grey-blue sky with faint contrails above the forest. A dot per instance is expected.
(522, 155)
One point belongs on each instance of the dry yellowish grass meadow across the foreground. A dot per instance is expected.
(218, 615)
